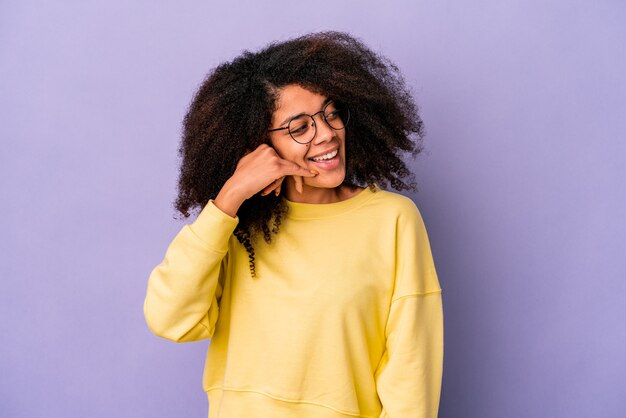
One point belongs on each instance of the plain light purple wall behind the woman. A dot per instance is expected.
(521, 188)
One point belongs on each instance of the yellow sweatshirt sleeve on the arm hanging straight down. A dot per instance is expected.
(408, 378)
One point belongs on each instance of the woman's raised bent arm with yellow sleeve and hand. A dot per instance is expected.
(183, 291)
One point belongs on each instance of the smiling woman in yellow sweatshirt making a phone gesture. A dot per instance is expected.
(316, 286)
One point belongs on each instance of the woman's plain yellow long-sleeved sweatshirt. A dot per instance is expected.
(344, 319)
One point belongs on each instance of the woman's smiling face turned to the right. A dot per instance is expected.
(294, 100)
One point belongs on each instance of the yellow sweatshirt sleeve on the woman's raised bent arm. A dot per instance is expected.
(181, 302)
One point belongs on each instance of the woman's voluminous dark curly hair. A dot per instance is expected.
(232, 111)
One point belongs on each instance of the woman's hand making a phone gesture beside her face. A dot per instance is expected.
(261, 170)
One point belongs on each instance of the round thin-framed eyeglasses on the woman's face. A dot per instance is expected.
(303, 129)
